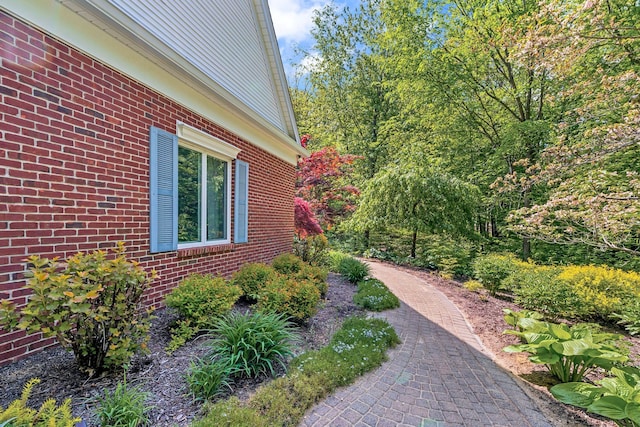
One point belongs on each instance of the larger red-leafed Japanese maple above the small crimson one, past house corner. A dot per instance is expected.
(321, 182)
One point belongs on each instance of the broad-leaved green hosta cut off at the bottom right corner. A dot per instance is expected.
(616, 398)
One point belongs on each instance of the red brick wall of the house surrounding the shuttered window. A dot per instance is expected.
(74, 171)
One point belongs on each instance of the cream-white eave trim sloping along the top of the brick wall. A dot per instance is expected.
(135, 58)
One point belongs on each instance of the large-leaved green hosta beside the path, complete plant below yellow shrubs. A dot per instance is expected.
(569, 353)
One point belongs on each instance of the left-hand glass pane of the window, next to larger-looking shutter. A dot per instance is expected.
(189, 181)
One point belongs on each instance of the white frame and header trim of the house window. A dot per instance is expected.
(208, 145)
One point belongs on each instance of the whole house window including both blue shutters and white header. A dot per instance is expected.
(191, 190)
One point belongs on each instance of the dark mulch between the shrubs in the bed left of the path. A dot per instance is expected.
(158, 373)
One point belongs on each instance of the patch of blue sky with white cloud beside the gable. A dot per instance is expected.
(292, 20)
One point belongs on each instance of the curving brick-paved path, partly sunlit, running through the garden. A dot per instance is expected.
(439, 376)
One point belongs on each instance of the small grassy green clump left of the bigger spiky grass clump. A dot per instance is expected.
(207, 379)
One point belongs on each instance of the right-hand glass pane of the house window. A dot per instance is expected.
(216, 200)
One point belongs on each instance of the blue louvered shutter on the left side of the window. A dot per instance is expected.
(164, 191)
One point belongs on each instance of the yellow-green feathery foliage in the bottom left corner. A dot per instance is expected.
(18, 414)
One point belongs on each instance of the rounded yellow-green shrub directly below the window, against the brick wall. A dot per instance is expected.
(199, 299)
